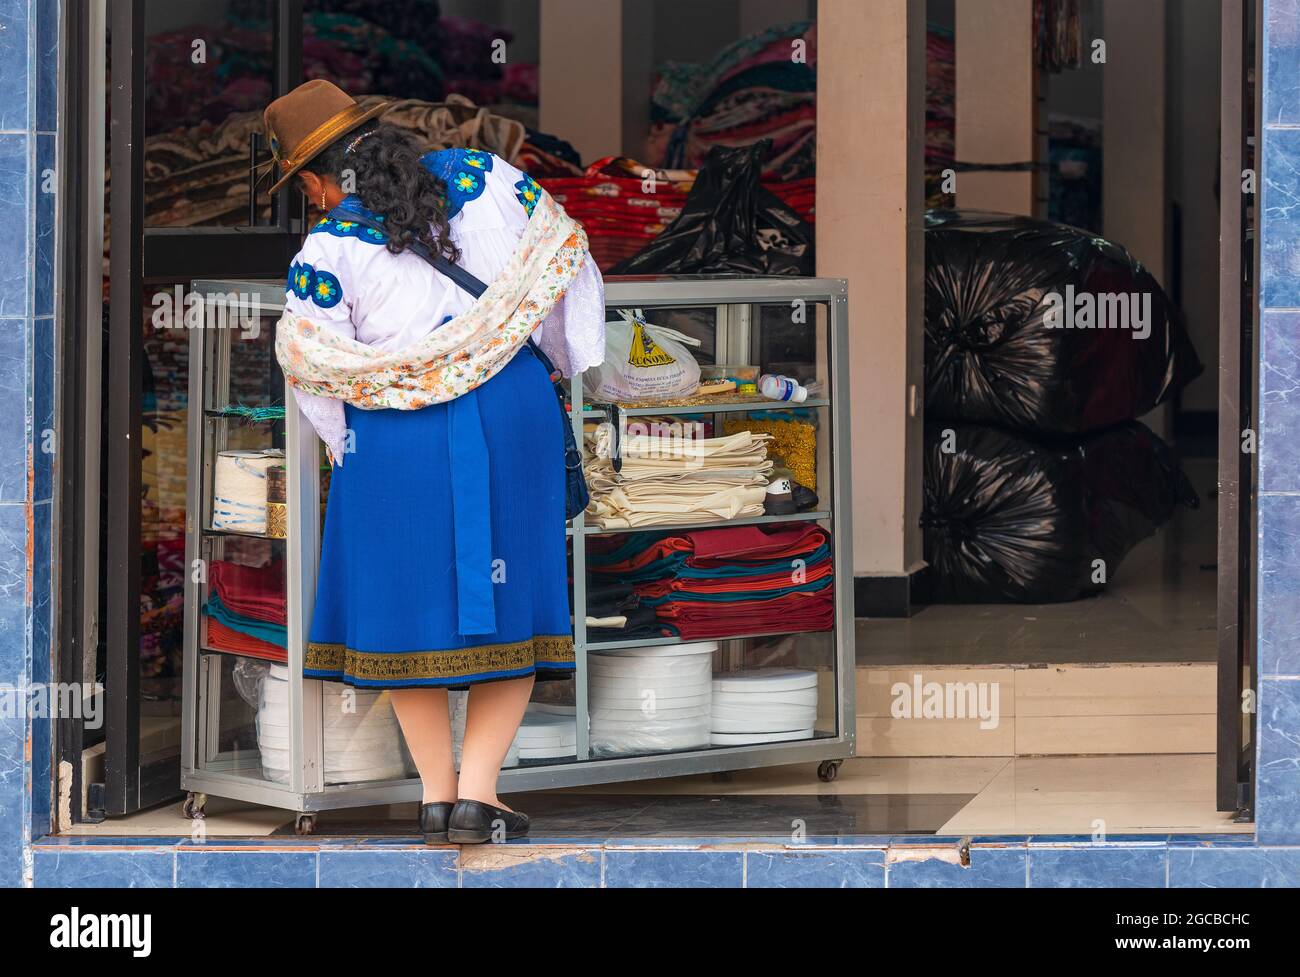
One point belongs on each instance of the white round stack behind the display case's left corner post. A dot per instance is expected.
(363, 741)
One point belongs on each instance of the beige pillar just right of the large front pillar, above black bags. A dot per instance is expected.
(998, 105)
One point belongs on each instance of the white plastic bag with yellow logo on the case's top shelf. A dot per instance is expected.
(644, 362)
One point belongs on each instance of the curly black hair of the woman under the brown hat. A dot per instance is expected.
(382, 164)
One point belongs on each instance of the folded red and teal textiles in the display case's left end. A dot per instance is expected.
(246, 611)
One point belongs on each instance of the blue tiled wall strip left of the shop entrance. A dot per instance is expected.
(29, 85)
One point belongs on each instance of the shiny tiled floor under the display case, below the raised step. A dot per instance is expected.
(917, 796)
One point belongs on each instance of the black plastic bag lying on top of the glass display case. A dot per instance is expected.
(730, 224)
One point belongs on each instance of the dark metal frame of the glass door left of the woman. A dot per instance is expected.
(145, 255)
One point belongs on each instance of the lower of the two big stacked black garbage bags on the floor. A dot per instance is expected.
(1011, 519)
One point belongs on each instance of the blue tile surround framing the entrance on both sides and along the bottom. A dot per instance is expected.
(28, 124)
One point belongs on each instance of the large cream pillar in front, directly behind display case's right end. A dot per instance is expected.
(870, 203)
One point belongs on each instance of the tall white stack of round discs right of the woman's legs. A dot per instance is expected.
(649, 701)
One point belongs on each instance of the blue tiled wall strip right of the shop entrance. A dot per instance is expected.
(1279, 780)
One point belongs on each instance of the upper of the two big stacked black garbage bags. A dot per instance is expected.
(991, 355)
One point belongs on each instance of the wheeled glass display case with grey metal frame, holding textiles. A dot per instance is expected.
(712, 577)
